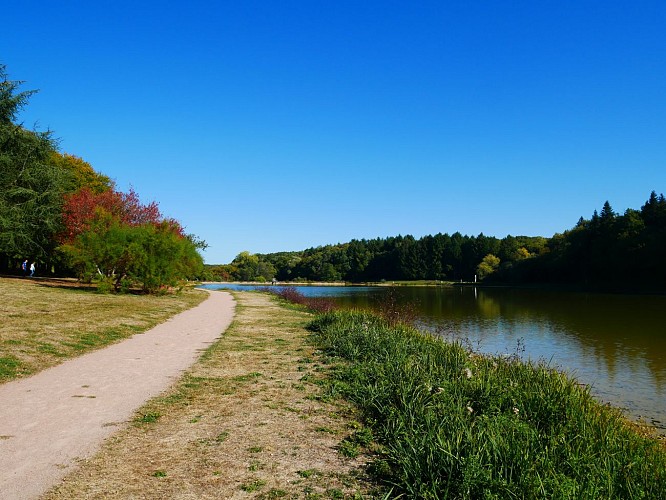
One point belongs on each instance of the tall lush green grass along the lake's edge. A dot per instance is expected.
(453, 424)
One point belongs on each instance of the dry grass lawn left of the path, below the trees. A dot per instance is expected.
(47, 321)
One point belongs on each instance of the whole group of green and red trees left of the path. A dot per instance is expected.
(58, 212)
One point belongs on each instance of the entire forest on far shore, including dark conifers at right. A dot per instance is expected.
(608, 250)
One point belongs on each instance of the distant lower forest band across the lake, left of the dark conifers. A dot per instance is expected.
(440, 257)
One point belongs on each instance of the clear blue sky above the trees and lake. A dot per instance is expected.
(281, 125)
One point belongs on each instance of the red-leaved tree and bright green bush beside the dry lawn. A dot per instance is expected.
(112, 237)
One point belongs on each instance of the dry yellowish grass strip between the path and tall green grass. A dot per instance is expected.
(241, 423)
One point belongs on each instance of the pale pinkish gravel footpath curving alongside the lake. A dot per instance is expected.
(62, 414)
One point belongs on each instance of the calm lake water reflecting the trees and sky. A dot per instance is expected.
(616, 344)
